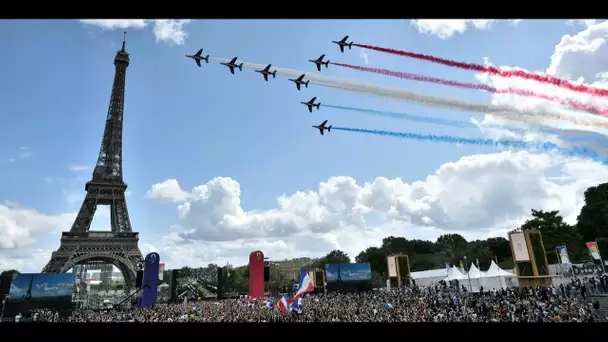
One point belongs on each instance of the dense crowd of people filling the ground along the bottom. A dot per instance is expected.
(439, 303)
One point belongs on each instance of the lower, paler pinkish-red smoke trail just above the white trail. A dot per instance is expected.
(521, 92)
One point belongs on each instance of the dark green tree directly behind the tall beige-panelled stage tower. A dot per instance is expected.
(554, 232)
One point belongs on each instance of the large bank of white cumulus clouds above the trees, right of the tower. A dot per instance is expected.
(478, 196)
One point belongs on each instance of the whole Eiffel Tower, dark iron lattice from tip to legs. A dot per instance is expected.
(119, 246)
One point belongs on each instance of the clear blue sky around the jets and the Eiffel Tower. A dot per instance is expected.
(194, 124)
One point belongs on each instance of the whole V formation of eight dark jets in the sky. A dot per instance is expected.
(319, 62)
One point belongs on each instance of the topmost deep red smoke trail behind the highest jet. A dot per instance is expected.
(493, 70)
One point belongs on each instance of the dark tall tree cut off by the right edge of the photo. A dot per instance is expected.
(593, 218)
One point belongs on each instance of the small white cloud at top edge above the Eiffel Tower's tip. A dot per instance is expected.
(165, 30)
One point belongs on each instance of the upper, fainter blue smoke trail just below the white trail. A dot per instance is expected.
(464, 124)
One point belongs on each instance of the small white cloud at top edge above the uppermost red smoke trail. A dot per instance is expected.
(446, 28)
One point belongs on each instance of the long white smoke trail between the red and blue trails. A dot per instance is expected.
(527, 116)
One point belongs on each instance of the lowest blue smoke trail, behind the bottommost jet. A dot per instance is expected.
(542, 146)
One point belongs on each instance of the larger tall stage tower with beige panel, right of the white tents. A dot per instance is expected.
(529, 258)
